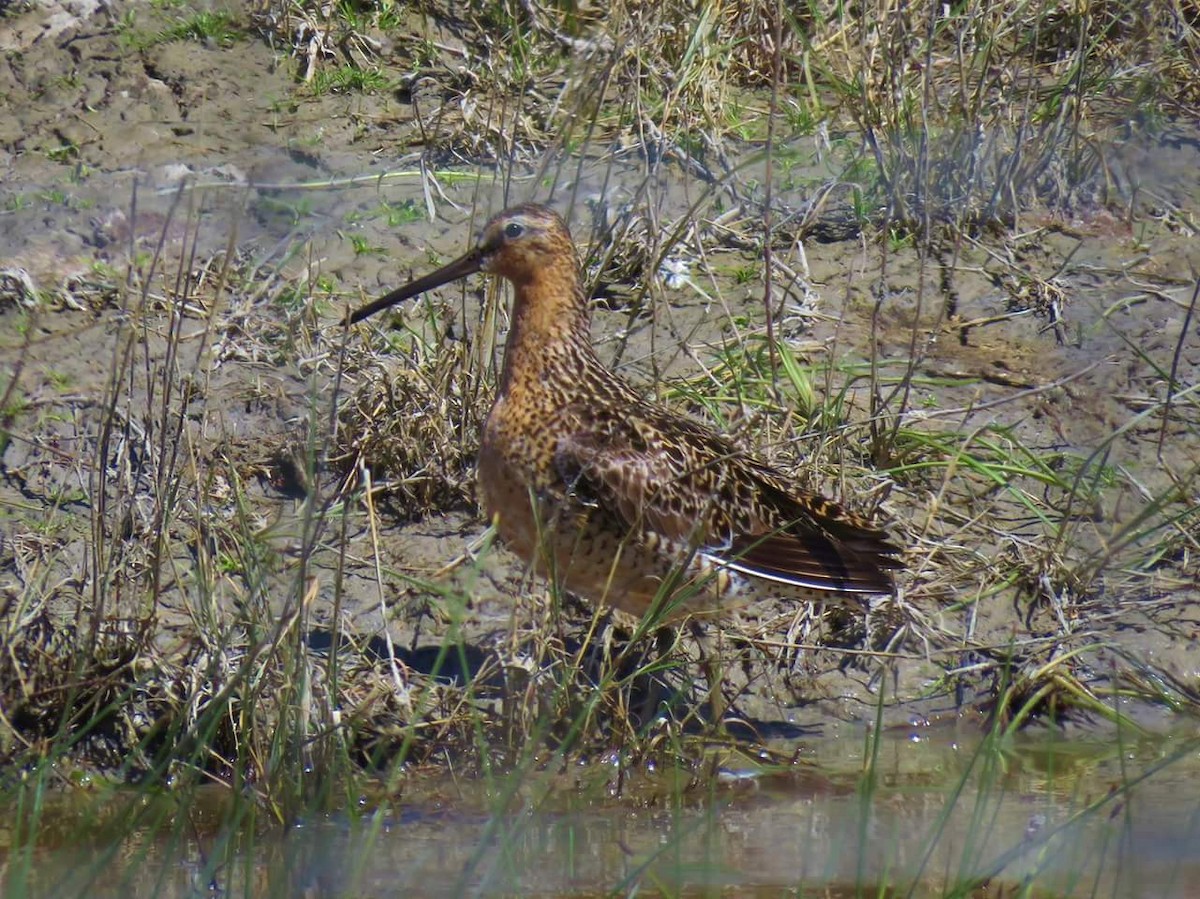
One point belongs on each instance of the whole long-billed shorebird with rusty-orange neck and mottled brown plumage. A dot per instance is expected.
(622, 501)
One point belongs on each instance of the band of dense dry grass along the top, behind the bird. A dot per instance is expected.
(968, 117)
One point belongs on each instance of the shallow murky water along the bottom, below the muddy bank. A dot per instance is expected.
(939, 813)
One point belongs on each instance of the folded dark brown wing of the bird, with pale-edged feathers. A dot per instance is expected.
(686, 483)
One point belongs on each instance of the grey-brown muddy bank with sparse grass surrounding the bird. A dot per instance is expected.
(1041, 472)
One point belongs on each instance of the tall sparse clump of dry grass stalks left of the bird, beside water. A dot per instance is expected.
(159, 652)
